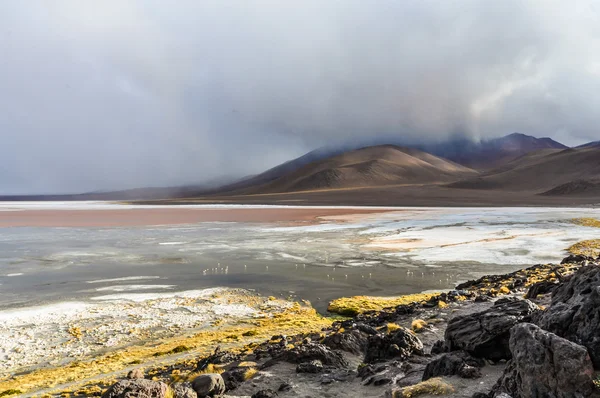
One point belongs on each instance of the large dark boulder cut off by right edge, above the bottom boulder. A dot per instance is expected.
(575, 311)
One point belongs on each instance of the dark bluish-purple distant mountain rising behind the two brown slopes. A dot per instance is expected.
(490, 154)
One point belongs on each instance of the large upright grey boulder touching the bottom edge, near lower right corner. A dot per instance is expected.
(545, 365)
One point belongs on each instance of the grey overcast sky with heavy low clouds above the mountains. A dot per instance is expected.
(121, 93)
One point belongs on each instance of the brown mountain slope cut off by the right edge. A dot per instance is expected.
(540, 172)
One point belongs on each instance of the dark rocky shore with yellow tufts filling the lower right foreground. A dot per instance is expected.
(531, 333)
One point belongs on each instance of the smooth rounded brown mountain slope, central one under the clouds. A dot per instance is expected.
(371, 166)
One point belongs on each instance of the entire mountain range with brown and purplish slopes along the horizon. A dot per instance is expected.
(516, 169)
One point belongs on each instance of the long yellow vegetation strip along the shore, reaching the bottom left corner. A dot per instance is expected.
(291, 321)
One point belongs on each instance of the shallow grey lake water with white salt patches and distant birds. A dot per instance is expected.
(382, 254)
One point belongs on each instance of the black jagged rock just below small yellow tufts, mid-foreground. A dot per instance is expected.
(400, 344)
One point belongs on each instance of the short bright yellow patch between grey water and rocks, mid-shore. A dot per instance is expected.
(351, 306)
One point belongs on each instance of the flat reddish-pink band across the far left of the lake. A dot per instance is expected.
(19, 217)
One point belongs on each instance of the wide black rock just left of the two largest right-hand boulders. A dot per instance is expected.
(485, 334)
